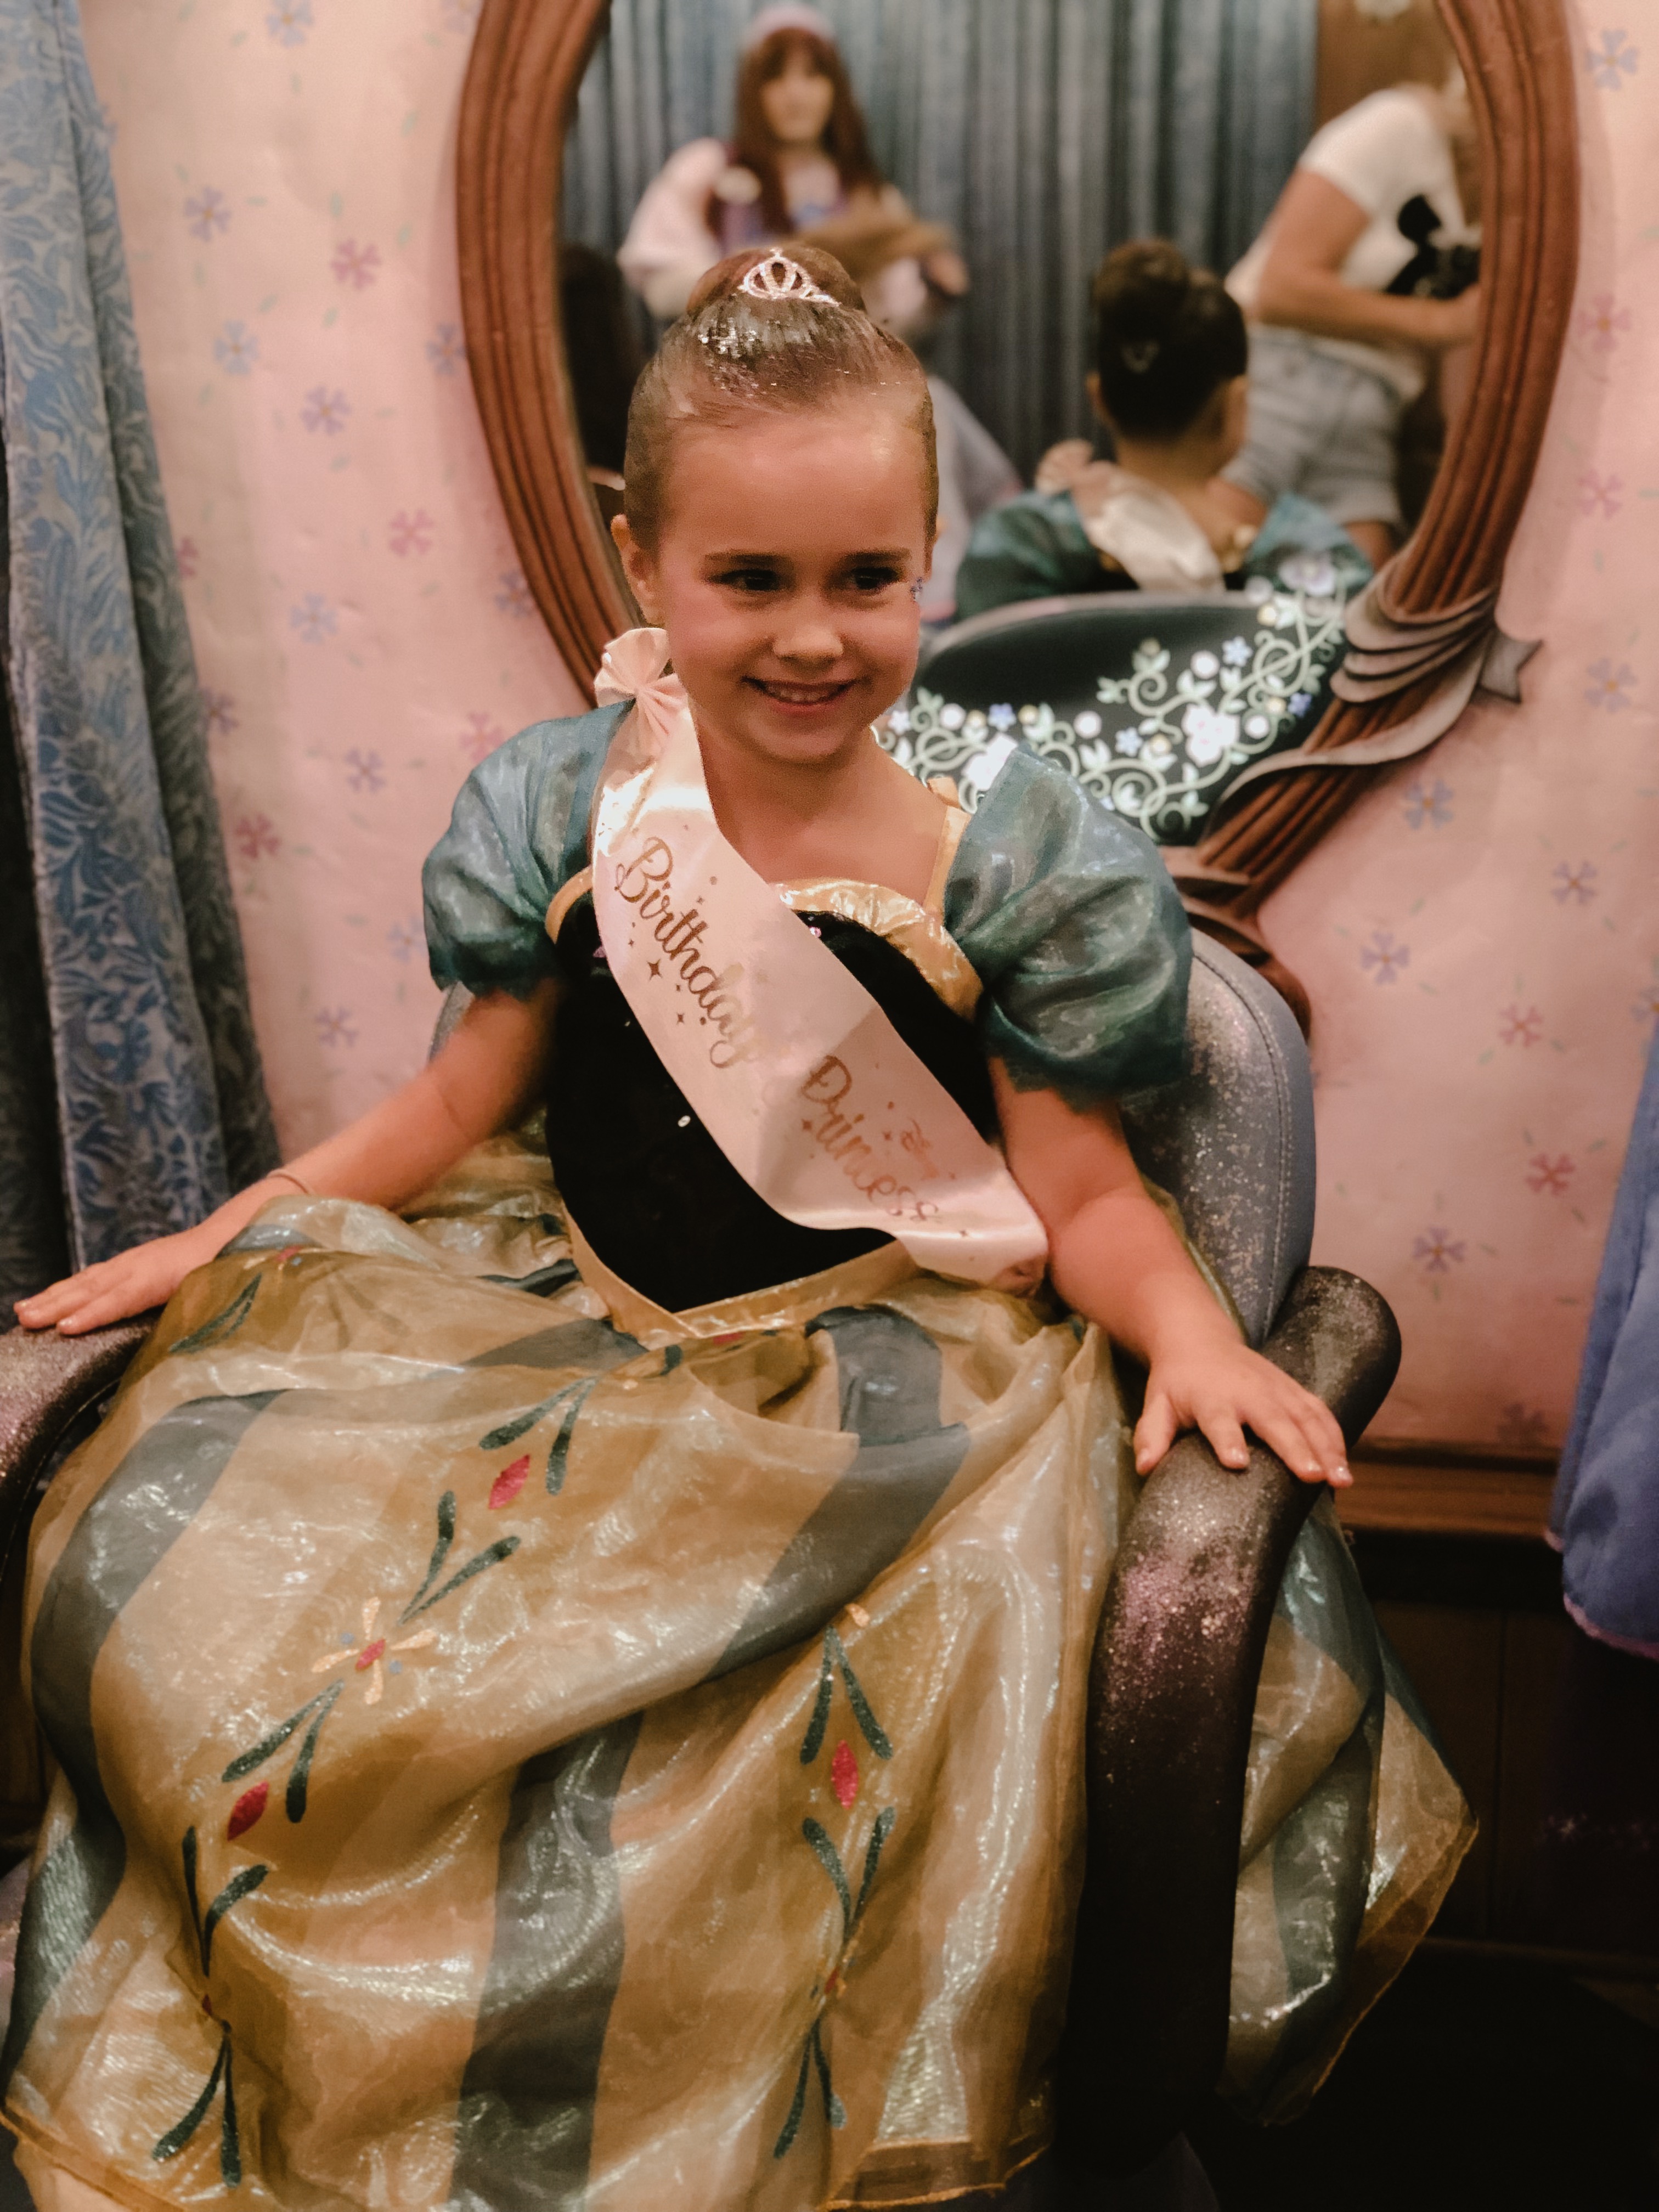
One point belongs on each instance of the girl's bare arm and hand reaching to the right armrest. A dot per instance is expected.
(1118, 1262)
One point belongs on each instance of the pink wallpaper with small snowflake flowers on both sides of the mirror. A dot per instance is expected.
(1481, 937)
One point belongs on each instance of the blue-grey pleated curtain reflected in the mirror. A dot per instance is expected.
(1045, 132)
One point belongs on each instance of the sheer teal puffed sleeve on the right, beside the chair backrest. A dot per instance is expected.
(1078, 937)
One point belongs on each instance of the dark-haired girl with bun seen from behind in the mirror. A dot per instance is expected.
(1171, 384)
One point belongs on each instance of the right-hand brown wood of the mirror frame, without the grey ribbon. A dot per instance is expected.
(1523, 83)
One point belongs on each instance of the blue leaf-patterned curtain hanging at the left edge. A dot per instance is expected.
(132, 1096)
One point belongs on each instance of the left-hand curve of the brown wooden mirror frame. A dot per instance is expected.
(514, 112)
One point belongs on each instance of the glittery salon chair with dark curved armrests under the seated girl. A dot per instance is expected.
(1187, 1614)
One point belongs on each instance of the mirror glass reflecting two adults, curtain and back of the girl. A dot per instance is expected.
(1196, 286)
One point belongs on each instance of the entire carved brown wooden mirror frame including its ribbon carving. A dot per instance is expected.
(1423, 638)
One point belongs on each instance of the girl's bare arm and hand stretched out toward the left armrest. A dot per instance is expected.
(483, 1081)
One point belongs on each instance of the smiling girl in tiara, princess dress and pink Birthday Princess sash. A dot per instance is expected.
(576, 1698)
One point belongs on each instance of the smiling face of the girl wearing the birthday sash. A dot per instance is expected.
(784, 576)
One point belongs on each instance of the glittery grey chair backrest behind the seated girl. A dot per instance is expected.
(1233, 1142)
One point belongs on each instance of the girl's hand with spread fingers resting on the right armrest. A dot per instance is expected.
(1224, 1388)
